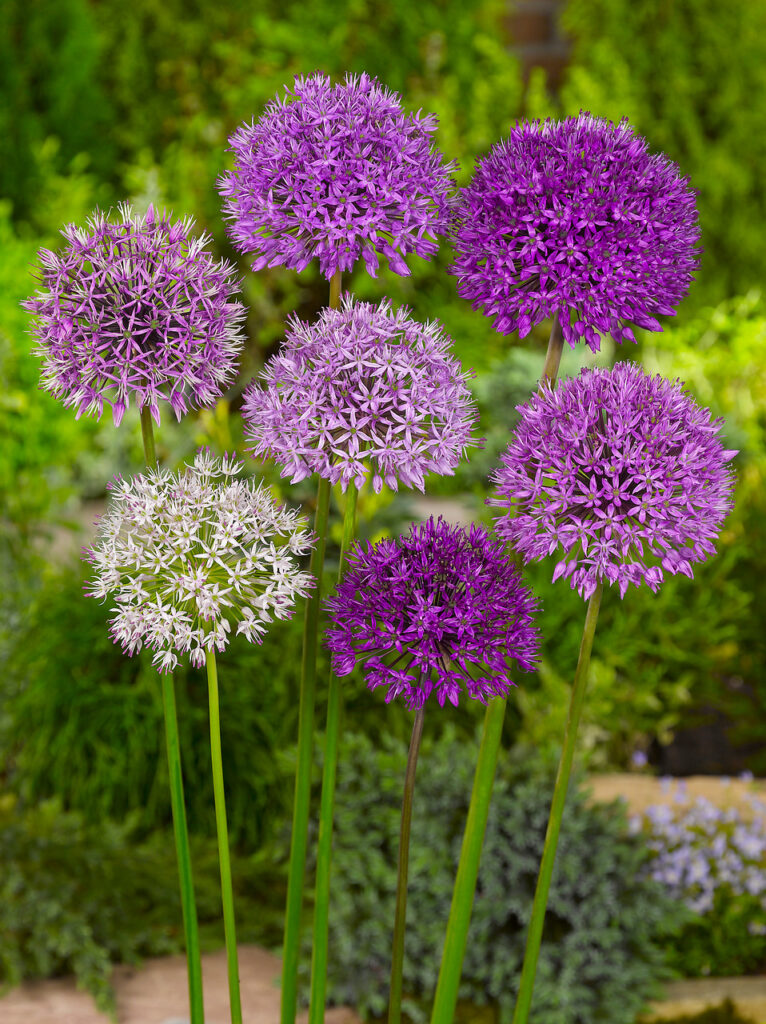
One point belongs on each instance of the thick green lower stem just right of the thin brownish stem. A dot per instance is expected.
(471, 855)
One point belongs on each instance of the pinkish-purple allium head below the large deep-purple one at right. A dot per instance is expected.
(619, 473)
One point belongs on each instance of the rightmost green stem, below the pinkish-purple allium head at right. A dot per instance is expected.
(535, 934)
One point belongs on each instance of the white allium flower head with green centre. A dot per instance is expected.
(188, 557)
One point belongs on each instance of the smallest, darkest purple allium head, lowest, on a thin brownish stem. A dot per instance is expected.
(442, 610)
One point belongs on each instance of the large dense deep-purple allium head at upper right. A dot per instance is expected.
(576, 219)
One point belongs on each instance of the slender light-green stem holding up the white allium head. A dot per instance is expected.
(228, 898)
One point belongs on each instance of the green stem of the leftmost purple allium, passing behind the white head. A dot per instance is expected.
(189, 906)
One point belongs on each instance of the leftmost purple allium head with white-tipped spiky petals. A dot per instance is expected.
(139, 308)
